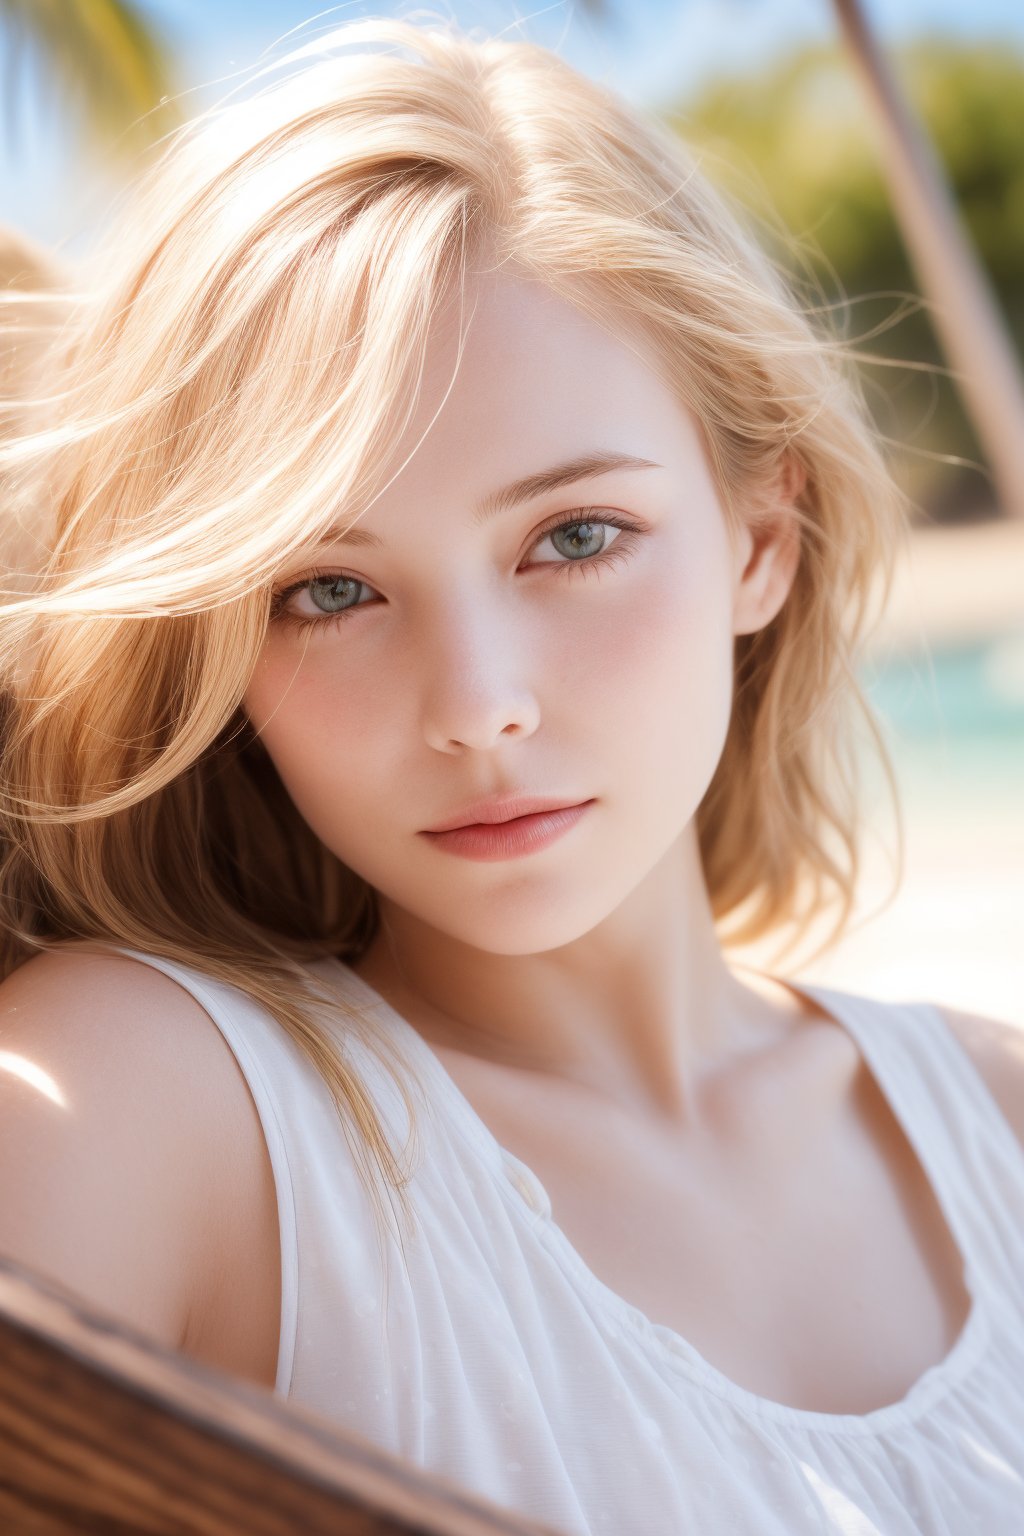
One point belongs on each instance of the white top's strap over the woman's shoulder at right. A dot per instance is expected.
(956, 1127)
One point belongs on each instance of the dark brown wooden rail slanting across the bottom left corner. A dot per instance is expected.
(105, 1432)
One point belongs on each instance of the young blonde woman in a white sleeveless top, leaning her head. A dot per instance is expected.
(455, 549)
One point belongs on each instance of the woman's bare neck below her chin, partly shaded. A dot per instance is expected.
(642, 1008)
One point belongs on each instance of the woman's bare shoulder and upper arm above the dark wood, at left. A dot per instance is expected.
(133, 1162)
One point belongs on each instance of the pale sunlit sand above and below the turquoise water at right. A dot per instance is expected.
(956, 932)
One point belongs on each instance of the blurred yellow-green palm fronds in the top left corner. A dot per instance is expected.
(105, 59)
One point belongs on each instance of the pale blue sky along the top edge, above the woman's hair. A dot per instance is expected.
(653, 51)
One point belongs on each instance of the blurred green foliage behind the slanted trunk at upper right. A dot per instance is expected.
(801, 148)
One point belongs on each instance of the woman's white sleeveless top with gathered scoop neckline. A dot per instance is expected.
(500, 1360)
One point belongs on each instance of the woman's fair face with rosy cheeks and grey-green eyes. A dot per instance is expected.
(483, 654)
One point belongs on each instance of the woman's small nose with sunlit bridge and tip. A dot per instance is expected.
(474, 669)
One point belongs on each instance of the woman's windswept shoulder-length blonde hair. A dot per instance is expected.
(240, 359)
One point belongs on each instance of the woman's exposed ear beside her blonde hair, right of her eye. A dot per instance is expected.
(768, 552)
